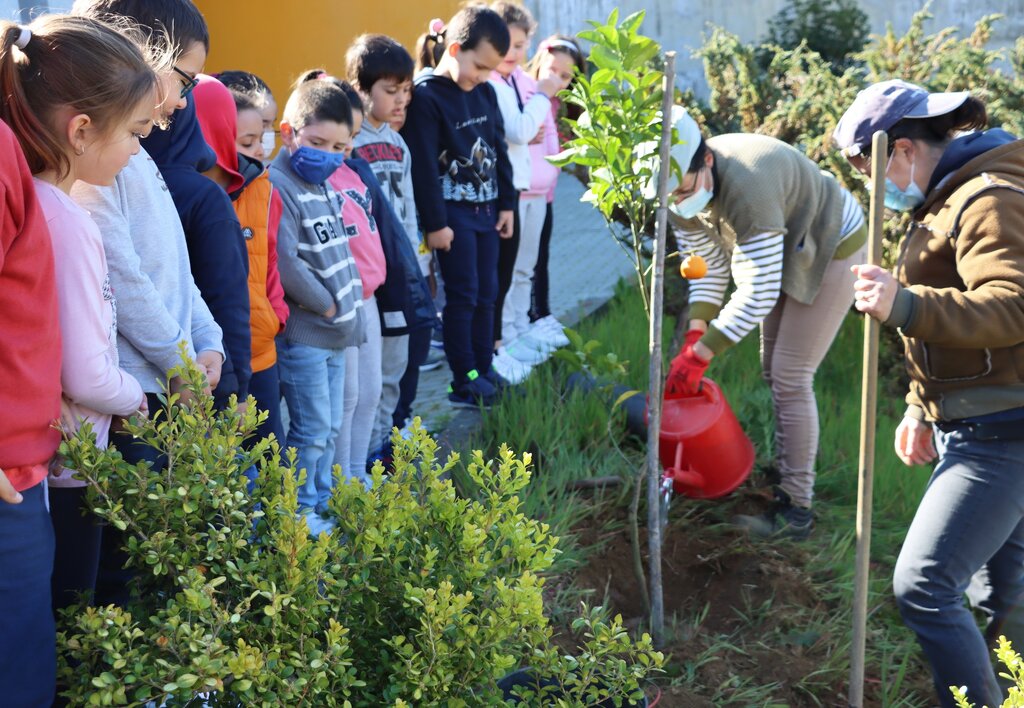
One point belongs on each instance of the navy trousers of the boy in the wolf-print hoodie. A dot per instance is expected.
(471, 272)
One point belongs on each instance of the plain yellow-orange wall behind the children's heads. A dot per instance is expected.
(278, 39)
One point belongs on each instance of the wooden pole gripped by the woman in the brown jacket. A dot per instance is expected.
(869, 410)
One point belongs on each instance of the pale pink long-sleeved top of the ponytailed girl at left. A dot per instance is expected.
(93, 384)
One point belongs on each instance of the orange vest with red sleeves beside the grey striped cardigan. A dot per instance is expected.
(253, 209)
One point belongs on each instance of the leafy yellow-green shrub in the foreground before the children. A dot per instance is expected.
(418, 598)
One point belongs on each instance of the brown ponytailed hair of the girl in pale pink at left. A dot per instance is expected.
(66, 61)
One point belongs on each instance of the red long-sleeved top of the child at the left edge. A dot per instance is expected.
(30, 335)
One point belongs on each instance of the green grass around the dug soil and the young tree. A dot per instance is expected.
(572, 439)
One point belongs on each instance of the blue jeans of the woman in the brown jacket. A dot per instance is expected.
(967, 536)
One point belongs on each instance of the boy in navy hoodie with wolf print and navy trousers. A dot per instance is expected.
(463, 185)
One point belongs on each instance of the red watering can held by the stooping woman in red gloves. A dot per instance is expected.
(704, 451)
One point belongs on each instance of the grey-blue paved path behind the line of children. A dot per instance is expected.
(586, 264)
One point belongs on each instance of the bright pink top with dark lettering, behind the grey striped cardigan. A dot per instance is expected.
(364, 239)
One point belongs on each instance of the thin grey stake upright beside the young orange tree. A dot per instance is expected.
(655, 418)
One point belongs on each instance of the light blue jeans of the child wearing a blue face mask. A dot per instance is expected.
(314, 383)
